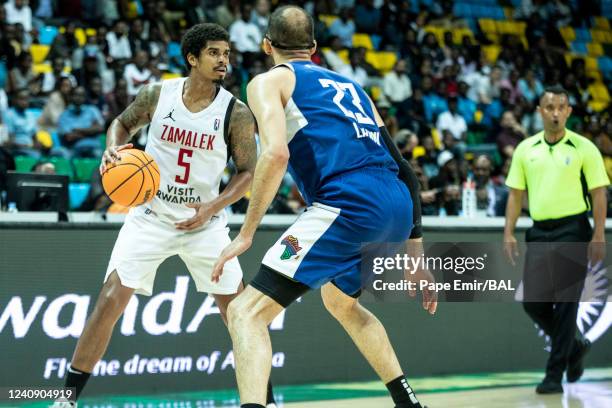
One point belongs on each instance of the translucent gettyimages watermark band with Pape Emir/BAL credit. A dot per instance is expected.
(471, 272)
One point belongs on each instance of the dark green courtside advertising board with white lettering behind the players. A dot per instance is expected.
(50, 275)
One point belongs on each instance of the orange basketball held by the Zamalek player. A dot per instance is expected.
(132, 181)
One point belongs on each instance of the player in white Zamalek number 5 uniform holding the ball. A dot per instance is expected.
(194, 125)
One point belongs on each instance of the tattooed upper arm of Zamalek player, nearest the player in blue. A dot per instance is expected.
(242, 138)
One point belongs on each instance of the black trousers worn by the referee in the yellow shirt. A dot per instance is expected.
(555, 269)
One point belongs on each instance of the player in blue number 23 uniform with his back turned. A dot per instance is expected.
(326, 131)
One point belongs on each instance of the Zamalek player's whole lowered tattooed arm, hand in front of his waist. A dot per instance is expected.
(244, 152)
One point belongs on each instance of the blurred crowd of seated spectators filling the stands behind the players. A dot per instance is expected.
(452, 112)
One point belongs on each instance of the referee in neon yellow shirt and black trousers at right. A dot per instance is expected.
(558, 168)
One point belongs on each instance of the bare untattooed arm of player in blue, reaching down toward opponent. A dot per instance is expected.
(265, 99)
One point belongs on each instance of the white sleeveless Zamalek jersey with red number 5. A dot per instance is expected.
(190, 150)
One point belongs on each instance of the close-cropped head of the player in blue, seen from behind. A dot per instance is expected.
(291, 28)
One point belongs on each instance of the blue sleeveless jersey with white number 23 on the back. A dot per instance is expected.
(331, 131)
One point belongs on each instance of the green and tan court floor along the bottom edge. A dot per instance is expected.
(486, 390)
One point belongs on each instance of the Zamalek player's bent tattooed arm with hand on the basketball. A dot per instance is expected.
(134, 117)
